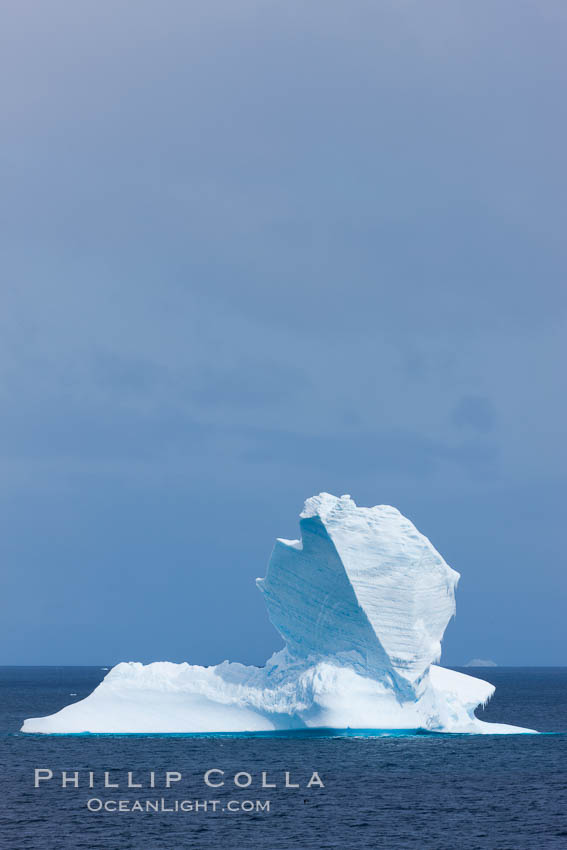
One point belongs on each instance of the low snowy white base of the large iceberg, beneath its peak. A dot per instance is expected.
(286, 694)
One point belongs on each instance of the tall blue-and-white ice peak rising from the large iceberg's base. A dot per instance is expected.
(364, 587)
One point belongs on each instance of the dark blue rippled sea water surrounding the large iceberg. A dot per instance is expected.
(407, 791)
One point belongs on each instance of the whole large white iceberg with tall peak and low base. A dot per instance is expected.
(361, 599)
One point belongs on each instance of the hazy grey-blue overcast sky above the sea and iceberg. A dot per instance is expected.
(252, 251)
